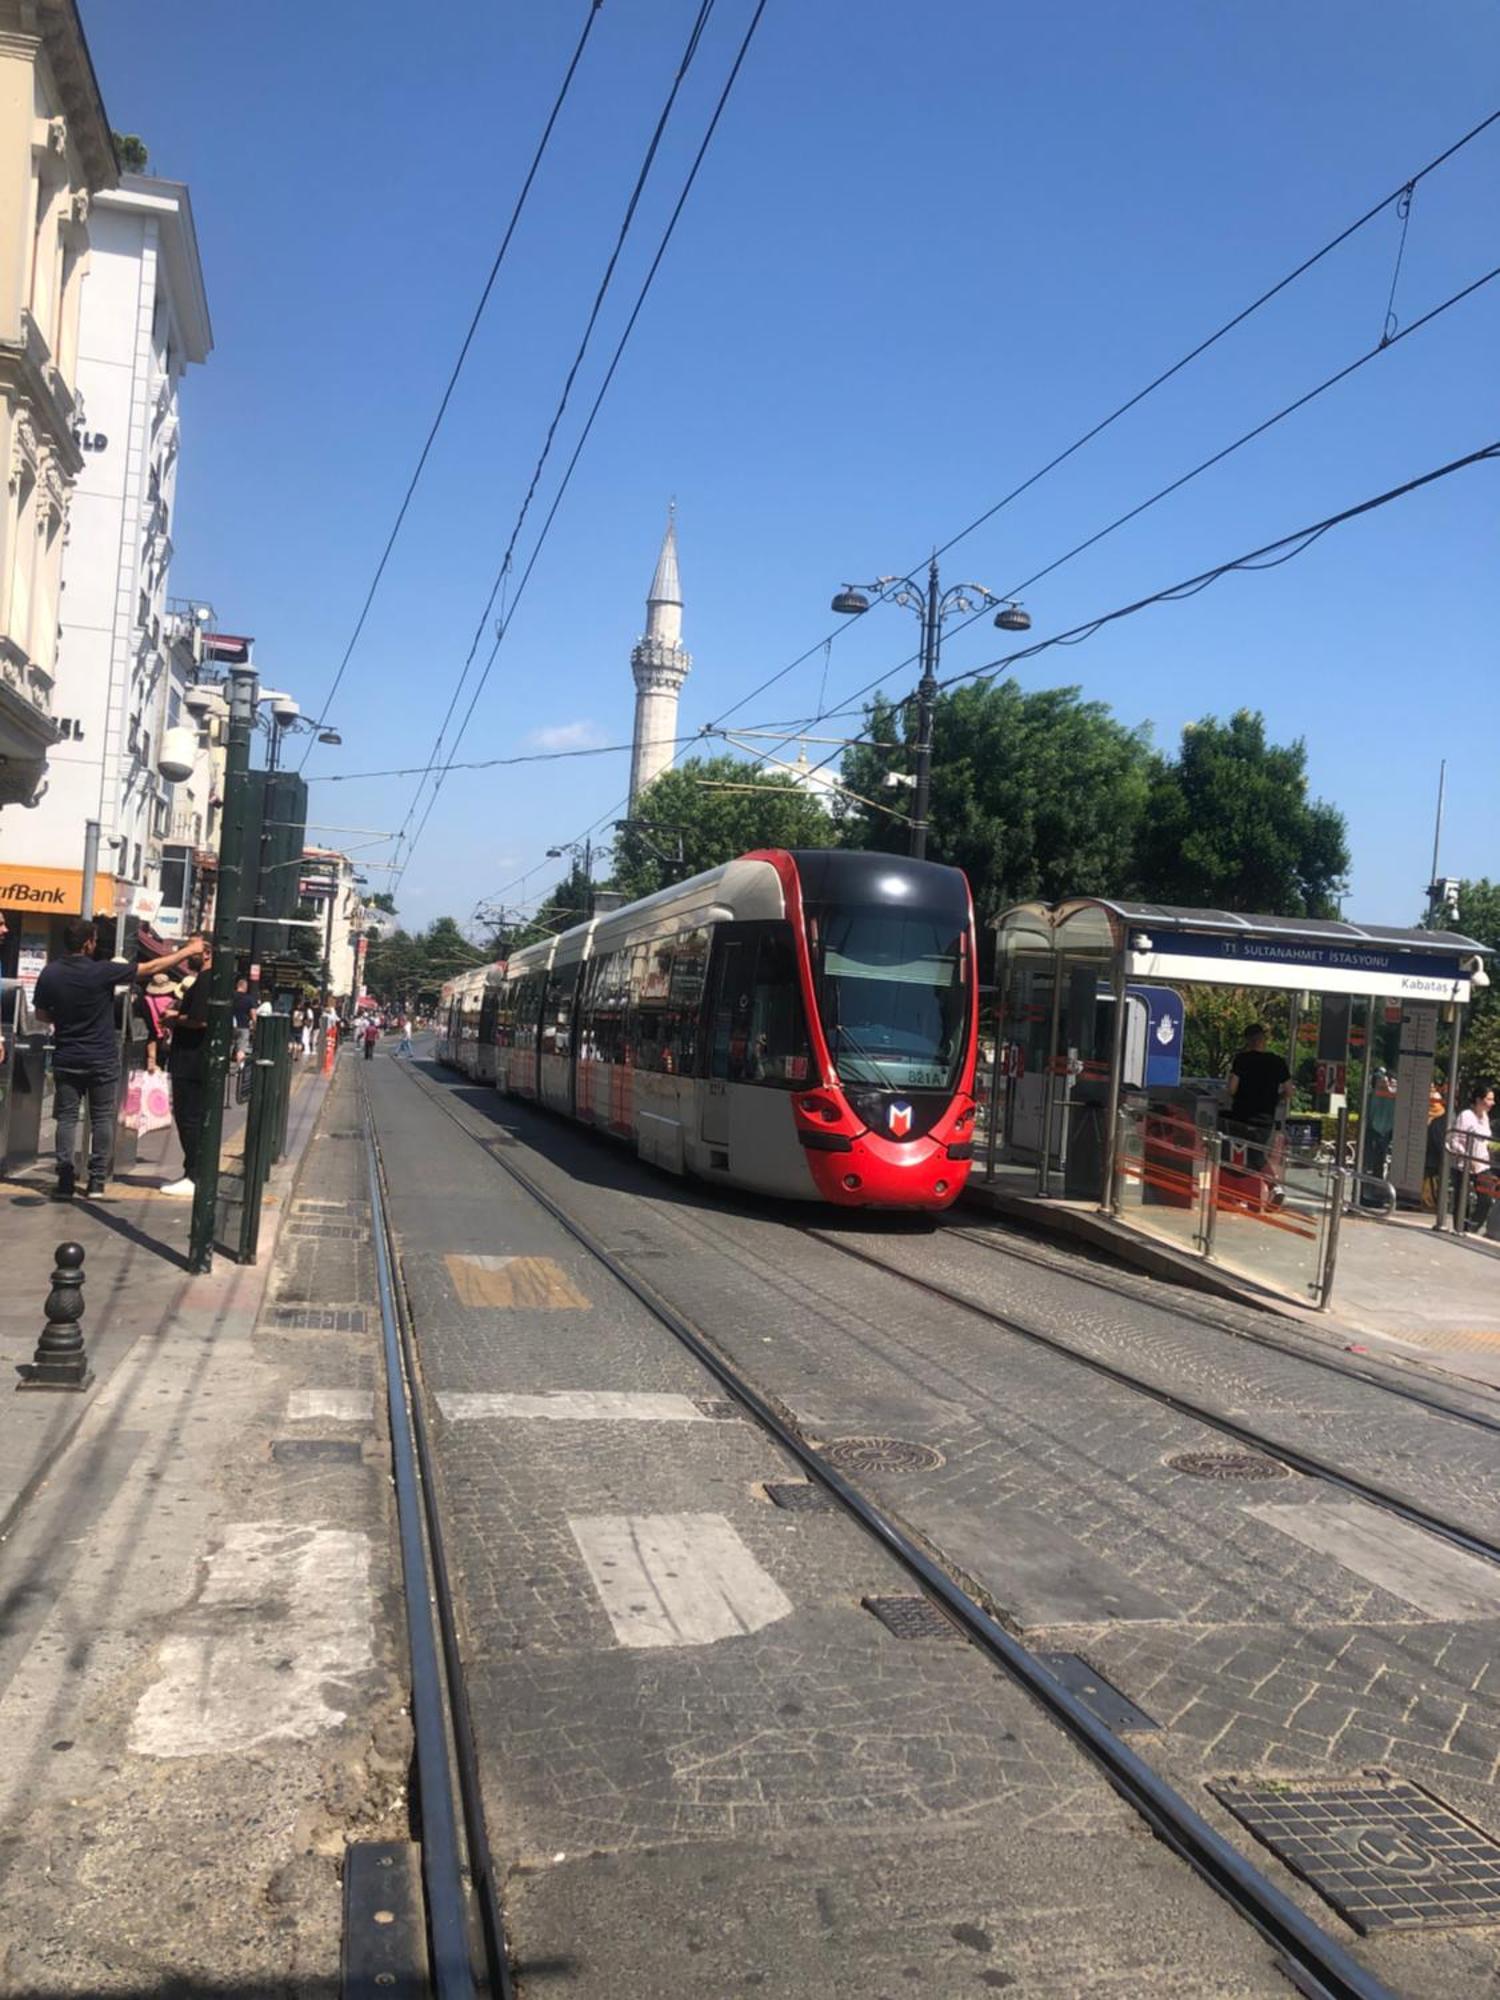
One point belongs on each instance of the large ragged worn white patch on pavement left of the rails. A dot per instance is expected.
(283, 1619)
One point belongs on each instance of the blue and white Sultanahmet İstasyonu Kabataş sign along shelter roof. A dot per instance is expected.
(1281, 963)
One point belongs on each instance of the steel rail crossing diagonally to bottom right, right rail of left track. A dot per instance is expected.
(1319, 1965)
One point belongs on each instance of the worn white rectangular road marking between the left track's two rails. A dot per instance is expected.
(677, 1579)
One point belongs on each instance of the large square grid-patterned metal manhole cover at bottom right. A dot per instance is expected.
(1379, 1849)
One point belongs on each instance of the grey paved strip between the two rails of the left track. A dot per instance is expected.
(787, 1799)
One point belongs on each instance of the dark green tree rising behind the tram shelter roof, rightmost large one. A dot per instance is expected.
(1231, 827)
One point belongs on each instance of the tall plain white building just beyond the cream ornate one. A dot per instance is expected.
(143, 323)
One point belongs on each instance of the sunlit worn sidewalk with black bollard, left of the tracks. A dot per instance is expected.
(201, 1693)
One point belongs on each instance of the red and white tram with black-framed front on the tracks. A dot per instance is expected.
(797, 1023)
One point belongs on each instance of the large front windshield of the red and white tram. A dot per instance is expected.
(891, 995)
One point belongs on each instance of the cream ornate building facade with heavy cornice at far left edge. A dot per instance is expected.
(55, 161)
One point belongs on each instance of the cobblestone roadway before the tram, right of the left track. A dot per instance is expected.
(1251, 1645)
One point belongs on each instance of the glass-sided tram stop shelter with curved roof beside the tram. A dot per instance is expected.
(1105, 1011)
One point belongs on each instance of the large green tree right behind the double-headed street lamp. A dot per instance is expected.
(1035, 793)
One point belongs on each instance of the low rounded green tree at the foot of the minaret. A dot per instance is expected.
(715, 809)
